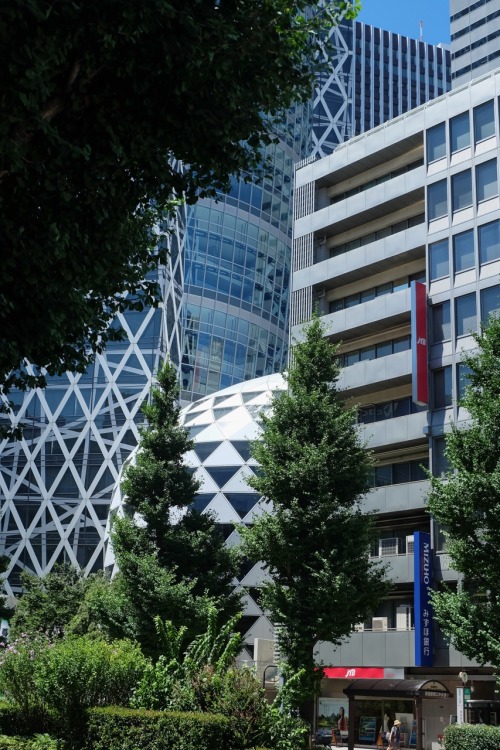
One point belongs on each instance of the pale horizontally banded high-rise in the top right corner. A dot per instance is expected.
(475, 38)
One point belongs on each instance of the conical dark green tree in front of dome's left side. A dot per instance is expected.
(173, 561)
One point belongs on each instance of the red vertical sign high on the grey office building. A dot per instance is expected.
(419, 355)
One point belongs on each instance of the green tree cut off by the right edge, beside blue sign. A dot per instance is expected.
(466, 503)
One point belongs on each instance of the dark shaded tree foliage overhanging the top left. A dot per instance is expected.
(100, 102)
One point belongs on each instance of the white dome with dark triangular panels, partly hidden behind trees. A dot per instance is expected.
(222, 426)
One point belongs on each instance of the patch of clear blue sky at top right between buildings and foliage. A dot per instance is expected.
(404, 16)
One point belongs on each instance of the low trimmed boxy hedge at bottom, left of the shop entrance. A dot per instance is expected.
(117, 728)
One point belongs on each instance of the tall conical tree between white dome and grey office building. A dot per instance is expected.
(315, 542)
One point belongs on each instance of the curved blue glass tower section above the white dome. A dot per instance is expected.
(237, 273)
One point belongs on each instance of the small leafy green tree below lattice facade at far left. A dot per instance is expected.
(49, 603)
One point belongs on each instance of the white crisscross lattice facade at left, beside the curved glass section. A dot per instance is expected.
(56, 482)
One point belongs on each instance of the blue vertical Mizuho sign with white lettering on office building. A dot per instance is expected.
(423, 614)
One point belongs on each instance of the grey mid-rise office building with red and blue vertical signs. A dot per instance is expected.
(401, 221)
